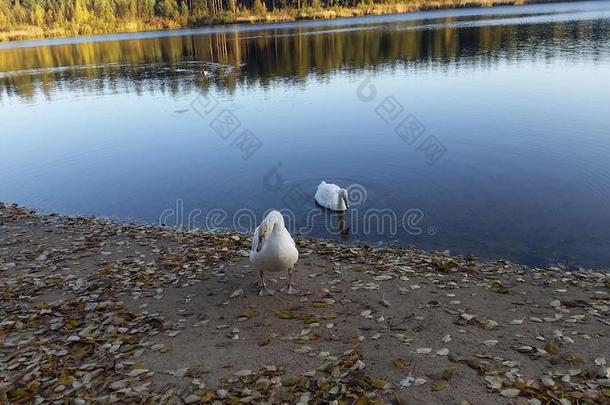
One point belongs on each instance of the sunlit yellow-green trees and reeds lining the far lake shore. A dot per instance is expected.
(36, 19)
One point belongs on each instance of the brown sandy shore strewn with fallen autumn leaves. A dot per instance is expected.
(96, 310)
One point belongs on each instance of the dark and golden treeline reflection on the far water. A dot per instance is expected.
(174, 64)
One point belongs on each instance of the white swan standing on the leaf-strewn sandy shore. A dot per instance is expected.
(273, 250)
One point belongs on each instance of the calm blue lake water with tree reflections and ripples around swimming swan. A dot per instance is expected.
(480, 131)
